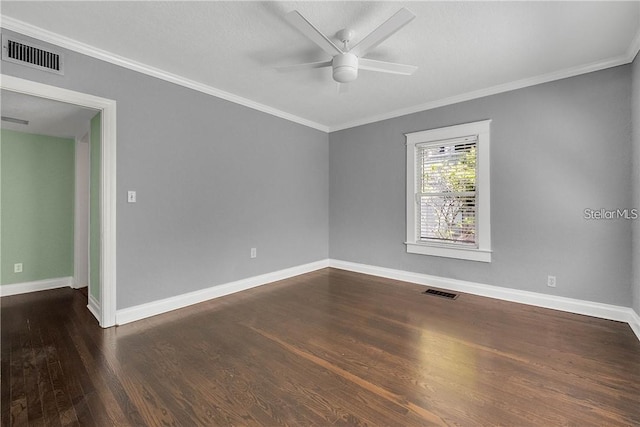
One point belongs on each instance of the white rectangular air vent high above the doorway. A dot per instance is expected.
(26, 53)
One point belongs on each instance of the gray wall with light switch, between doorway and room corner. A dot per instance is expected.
(213, 179)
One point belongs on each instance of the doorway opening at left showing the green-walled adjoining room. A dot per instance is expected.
(46, 195)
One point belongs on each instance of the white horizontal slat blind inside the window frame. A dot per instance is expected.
(446, 190)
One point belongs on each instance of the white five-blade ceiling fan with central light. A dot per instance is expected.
(347, 61)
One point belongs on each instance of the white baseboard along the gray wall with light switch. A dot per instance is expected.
(154, 308)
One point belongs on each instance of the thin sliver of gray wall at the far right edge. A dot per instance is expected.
(636, 181)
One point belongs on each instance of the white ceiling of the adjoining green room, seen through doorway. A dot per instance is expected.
(45, 116)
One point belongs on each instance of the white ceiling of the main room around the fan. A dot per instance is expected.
(462, 49)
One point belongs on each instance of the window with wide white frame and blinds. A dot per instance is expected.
(448, 194)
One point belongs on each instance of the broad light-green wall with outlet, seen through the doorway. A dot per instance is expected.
(37, 206)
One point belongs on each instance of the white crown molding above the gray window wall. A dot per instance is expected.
(494, 90)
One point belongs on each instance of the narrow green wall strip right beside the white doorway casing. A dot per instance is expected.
(94, 216)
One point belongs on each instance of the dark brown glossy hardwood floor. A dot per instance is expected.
(326, 348)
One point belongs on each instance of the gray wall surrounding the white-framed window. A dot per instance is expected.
(556, 149)
